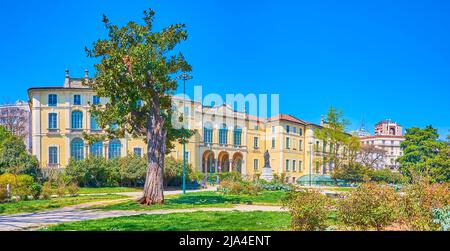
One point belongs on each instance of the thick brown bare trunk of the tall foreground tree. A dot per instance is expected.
(156, 150)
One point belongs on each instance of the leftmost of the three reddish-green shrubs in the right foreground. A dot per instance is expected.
(309, 210)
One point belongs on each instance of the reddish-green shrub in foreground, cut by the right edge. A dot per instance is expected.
(419, 200)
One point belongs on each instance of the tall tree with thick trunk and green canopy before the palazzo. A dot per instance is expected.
(137, 73)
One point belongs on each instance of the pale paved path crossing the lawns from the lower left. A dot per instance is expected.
(29, 221)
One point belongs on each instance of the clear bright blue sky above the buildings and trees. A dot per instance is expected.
(383, 59)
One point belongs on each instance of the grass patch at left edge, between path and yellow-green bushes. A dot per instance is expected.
(53, 203)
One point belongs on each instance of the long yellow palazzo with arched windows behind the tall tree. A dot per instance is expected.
(230, 140)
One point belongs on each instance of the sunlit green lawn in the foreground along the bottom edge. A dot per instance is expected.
(197, 221)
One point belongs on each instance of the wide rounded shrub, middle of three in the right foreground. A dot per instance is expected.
(370, 206)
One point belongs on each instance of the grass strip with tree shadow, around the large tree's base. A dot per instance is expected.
(202, 200)
